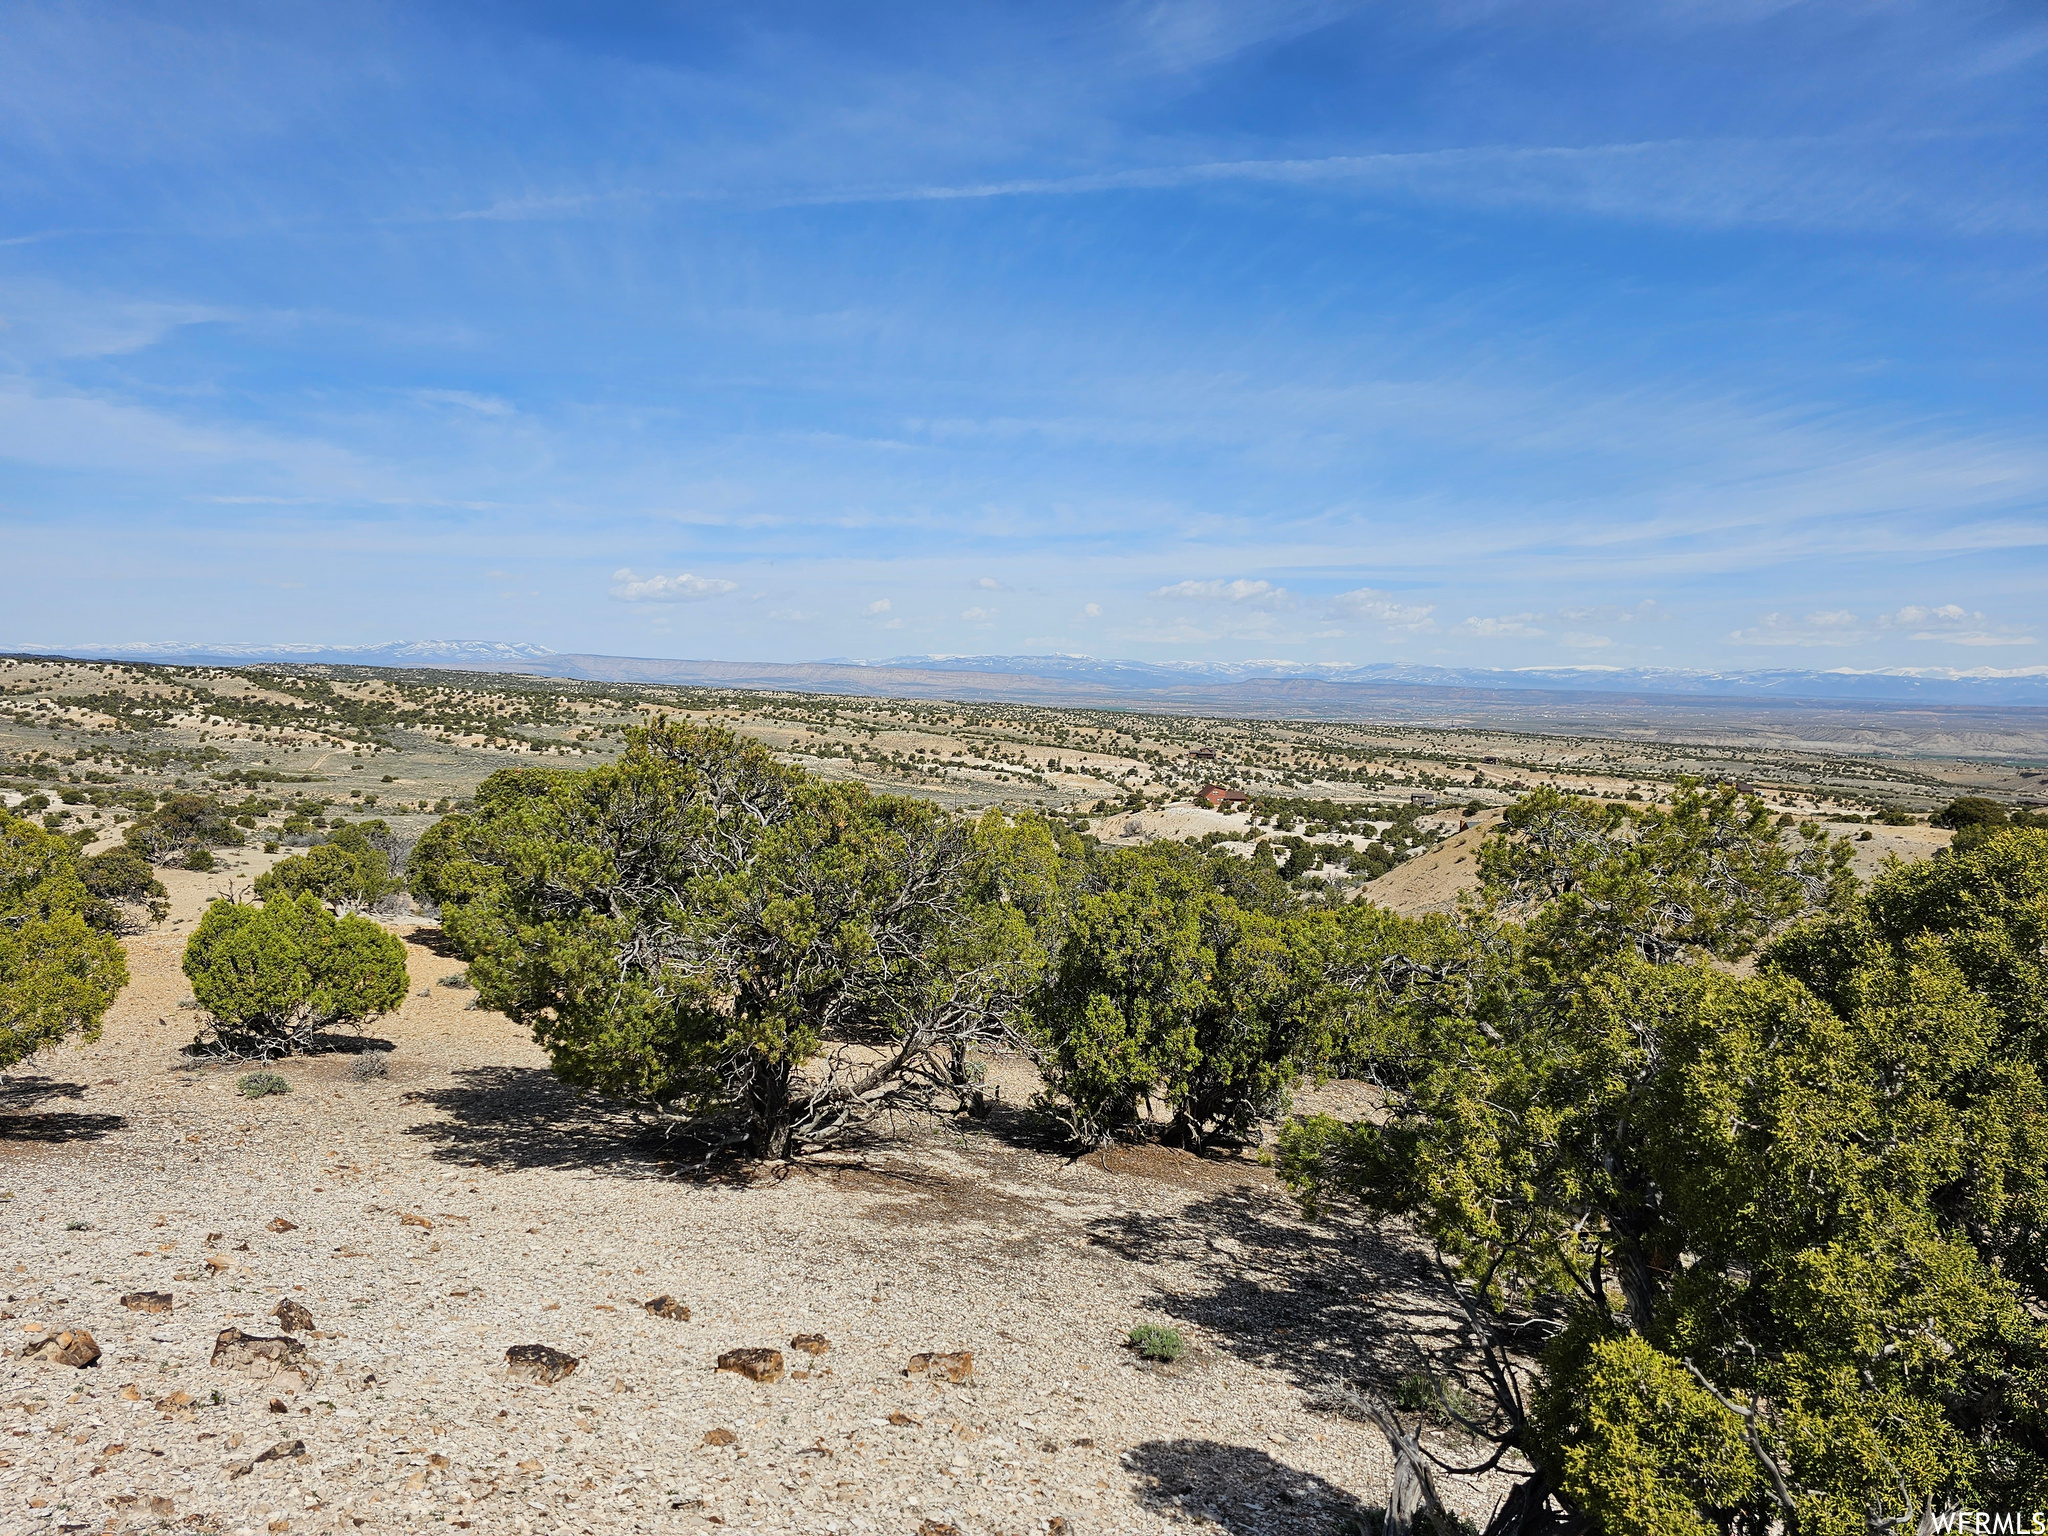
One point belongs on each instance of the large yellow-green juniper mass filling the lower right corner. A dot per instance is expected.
(1773, 1240)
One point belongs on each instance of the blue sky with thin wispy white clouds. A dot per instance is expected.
(1672, 333)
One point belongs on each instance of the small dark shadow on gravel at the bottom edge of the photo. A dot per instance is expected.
(1242, 1490)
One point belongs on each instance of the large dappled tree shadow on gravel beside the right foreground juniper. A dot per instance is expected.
(1322, 1304)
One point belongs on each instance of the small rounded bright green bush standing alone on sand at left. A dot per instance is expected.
(273, 976)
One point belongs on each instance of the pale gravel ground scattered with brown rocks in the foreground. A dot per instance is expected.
(468, 1203)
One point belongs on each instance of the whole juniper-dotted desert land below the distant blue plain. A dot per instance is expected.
(660, 1111)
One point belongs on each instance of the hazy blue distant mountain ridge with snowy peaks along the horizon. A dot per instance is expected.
(1086, 679)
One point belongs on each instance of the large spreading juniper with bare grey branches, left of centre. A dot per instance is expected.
(732, 941)
